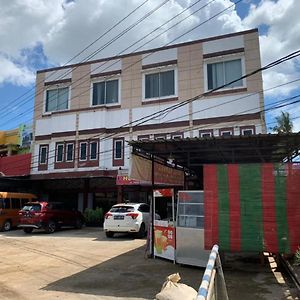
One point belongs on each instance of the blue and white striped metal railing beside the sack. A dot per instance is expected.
(213, 285)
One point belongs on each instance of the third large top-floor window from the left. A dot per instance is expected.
(160, 84)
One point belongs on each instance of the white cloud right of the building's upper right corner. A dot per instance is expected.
(282, 37)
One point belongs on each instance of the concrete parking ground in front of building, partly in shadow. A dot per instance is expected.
(84, 264)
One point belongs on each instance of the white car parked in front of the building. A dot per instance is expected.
(127, 217)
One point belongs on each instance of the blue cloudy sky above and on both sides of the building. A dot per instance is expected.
(38, 34)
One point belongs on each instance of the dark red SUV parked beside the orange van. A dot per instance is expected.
(49, 216)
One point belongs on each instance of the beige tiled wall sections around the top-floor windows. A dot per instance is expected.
(190, 80)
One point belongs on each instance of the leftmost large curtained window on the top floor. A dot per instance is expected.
(57, 99)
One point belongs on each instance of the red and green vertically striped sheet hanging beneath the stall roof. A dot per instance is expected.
(252, 207)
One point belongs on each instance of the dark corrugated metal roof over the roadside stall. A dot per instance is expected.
(194, 152)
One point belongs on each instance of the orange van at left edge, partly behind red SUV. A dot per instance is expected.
(10, 204)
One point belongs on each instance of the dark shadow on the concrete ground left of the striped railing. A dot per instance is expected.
(127, 275)
